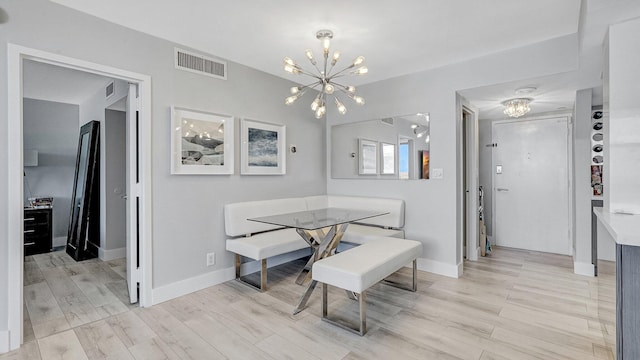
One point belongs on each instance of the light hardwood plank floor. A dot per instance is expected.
(513, 304)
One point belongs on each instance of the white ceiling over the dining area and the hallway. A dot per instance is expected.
(406, 37)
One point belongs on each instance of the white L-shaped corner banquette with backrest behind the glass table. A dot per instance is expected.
(259, 241)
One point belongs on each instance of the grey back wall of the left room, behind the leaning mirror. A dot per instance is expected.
(51, 128)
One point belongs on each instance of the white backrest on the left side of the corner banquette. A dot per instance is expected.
(236, 214)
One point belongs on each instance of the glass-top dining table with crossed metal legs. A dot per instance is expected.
(322, 229)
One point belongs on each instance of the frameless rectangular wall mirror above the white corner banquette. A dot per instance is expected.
(391, 148)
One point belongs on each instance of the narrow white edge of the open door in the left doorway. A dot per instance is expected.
(133, 193)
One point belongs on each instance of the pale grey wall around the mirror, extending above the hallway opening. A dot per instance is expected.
(432, 207)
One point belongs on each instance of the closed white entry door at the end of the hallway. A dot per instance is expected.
(531, 186)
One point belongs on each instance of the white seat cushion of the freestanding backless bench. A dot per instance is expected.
(359, 268)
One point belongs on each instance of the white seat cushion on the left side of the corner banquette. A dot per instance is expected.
(268, 244)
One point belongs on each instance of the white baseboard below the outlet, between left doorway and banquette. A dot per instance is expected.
(187, 286)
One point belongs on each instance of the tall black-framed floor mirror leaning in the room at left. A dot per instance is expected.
(83, 237)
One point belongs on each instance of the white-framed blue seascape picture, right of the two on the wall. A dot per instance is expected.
(262, 148)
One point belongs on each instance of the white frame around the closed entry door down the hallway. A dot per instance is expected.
(569, 150)
